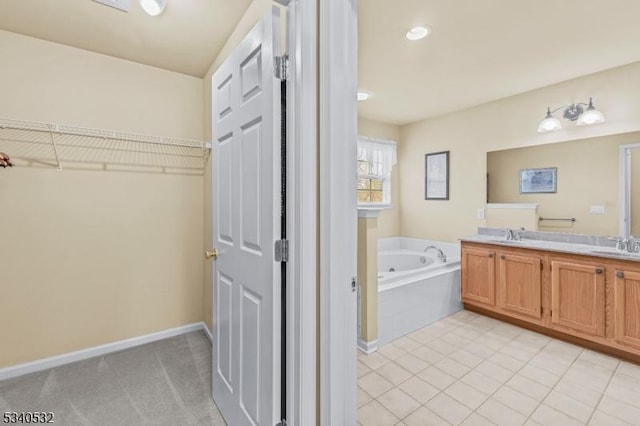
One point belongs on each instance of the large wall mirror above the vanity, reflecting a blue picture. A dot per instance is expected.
(588, 184)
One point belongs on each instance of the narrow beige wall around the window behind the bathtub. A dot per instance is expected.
(388, 220)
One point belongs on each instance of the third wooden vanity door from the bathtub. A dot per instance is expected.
(577, 296)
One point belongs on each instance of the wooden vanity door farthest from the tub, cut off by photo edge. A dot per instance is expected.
(627, 308)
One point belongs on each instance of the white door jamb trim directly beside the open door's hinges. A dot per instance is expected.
(302, 213)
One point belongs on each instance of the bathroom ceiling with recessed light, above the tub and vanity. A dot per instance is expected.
(481, 51)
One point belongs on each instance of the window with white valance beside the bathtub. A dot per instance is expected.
(375, 160)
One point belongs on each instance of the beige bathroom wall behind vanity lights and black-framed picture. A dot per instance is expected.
(507, 123)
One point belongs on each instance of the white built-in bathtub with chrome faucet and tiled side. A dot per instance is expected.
(415, 288)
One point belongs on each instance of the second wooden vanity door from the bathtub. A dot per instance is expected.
(520, 284)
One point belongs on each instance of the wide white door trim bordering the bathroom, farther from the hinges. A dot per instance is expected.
(338, 53)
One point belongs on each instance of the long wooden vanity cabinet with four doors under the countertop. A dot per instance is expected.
(583, 299)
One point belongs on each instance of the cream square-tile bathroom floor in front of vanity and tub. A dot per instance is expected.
(472, 370)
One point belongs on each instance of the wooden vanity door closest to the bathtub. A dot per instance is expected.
(478, 276)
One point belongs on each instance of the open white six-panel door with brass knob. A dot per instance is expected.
(246, 279)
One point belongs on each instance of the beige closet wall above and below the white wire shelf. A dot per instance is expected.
(91, 257)
